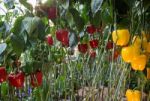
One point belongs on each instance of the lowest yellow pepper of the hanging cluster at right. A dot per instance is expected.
(139, 62)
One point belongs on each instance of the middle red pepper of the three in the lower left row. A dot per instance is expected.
(16, 80)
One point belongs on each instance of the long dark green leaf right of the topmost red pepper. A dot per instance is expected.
(79, 21)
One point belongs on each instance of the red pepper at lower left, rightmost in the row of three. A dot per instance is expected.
(36, 78)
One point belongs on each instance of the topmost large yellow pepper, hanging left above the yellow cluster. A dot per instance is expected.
(121, 37)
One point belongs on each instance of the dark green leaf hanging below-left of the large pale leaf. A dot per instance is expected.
(17, 44)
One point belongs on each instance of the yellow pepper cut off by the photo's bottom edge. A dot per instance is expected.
(133, 95)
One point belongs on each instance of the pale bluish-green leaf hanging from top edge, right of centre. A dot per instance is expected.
(95, 5)
